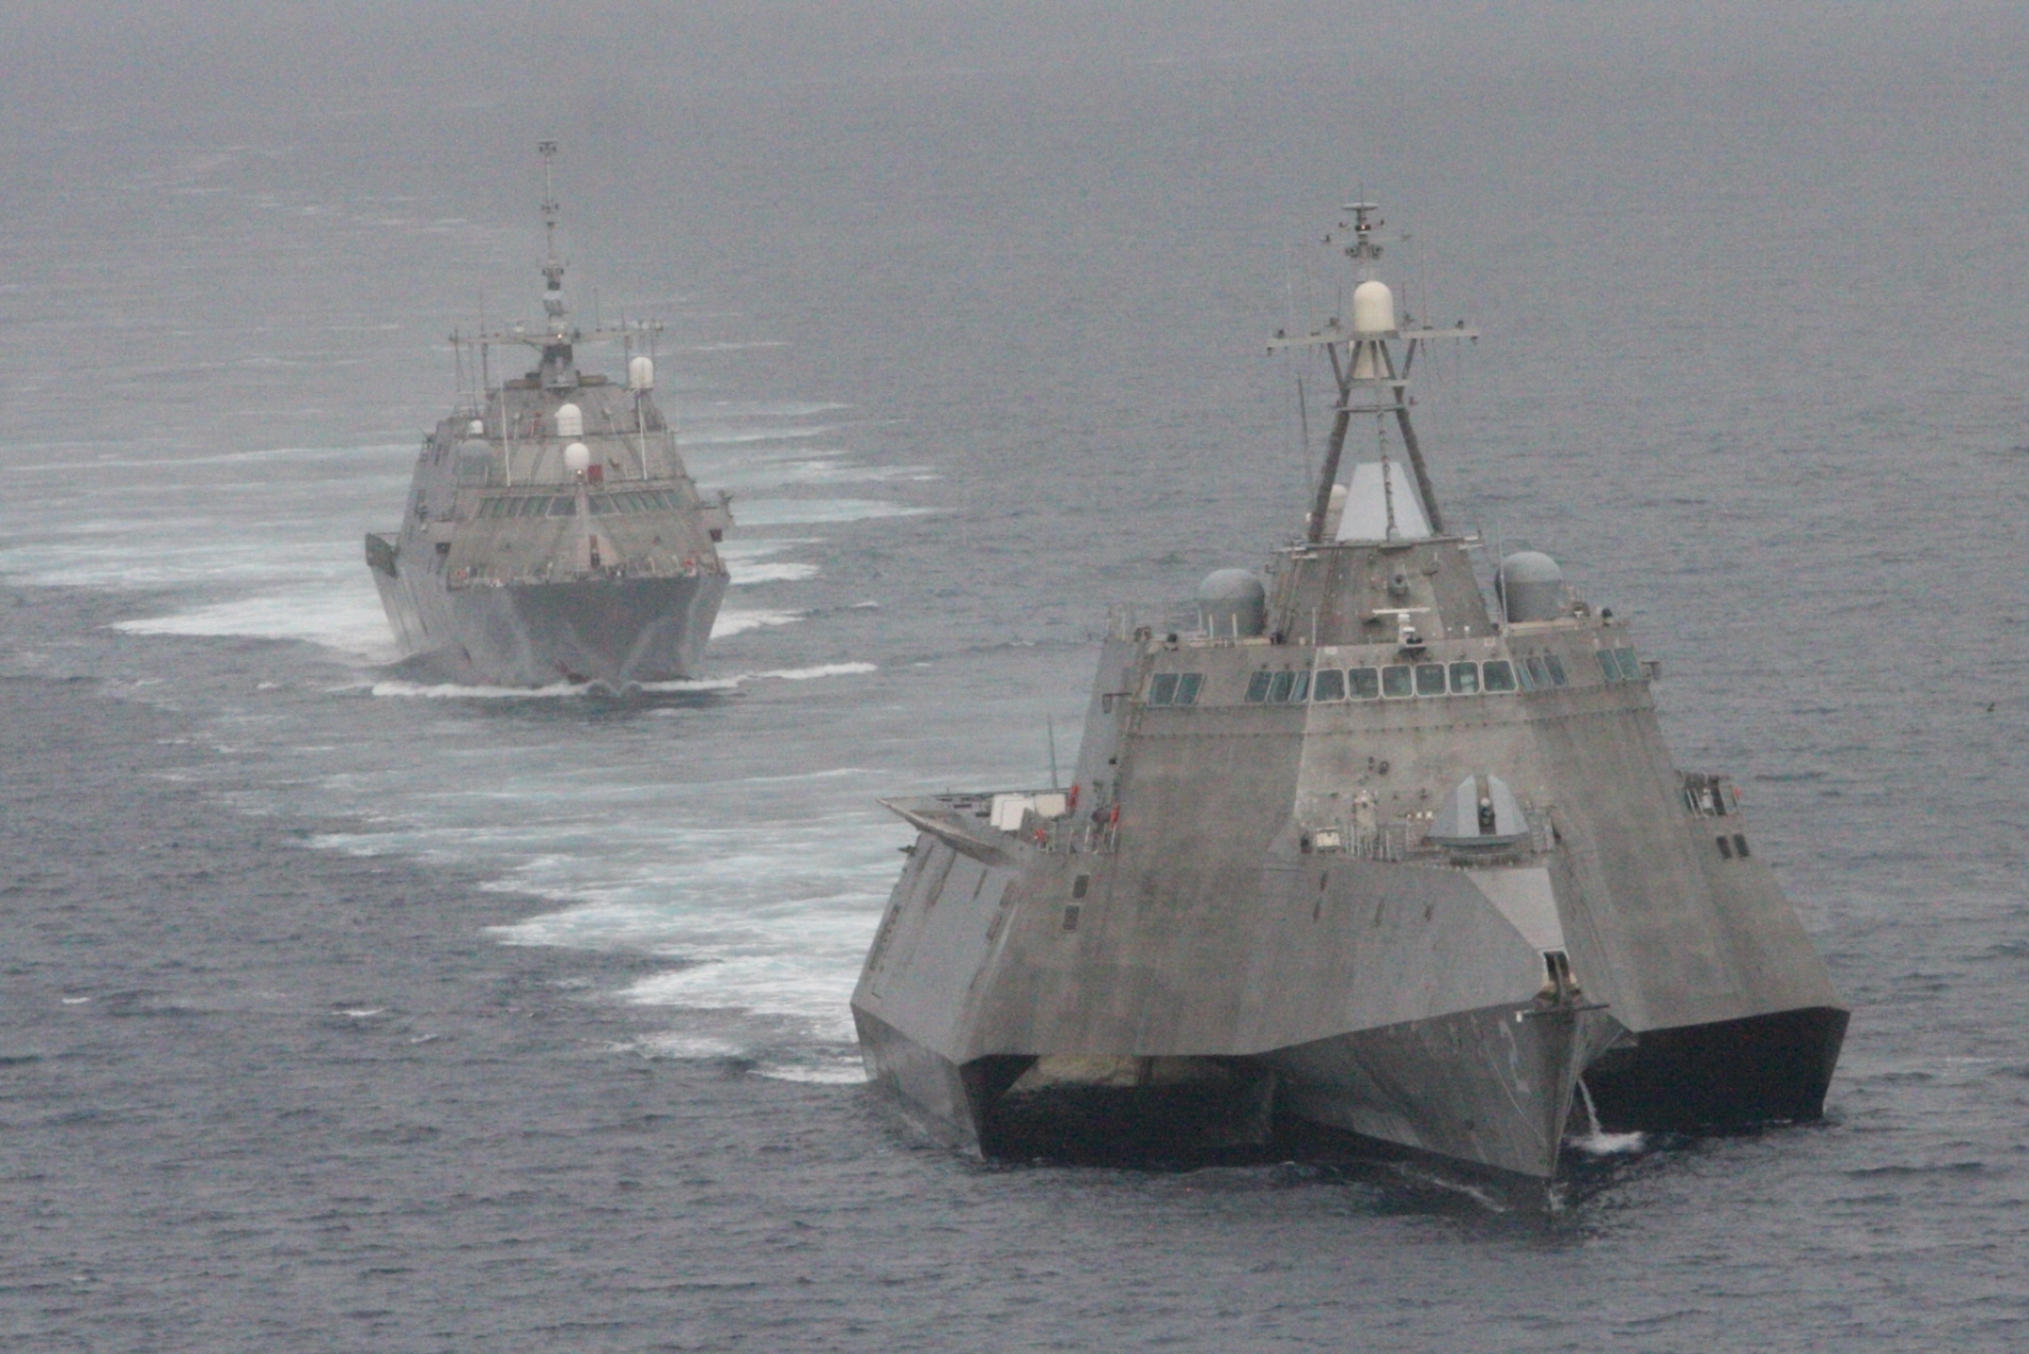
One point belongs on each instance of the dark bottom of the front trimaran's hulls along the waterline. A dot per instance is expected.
(1153, 1111)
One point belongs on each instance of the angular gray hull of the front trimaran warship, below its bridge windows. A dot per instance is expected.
(1433, 1000)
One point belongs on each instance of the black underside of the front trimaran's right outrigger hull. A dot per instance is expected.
(1728, 1075)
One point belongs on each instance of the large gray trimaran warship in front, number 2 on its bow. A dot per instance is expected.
(1369, 854)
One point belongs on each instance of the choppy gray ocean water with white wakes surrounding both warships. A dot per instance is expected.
(342, 1010)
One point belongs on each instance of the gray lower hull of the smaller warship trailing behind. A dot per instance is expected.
(616, 632)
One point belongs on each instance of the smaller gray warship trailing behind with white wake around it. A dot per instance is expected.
(553, 531)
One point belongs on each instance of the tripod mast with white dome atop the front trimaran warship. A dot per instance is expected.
(1365, 364)
